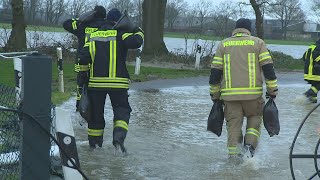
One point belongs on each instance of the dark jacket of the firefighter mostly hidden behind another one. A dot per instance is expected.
(82, 31)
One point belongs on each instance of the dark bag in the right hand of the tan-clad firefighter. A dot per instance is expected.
(271, 117)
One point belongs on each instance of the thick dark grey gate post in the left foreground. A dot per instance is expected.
(35, 101)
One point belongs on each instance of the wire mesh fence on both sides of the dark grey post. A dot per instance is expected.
(10, 137)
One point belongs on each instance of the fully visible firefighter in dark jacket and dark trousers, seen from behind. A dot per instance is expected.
(105, 54)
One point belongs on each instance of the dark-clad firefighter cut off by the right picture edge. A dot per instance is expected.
(312, 71)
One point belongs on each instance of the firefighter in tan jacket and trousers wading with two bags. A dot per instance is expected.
(236, 79)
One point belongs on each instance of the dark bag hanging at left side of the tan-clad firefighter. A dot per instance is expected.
(216, 117)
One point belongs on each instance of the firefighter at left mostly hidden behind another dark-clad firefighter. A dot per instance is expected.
(82, 27)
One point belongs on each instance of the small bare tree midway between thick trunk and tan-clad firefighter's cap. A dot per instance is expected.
(202, 11)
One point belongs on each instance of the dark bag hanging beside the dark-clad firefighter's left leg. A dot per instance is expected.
(84, 104)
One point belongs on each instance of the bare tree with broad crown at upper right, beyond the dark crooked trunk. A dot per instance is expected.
(287, 11)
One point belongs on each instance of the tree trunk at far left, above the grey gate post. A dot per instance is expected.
(17, 39)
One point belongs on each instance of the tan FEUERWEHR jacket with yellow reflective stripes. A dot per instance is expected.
(241, 57)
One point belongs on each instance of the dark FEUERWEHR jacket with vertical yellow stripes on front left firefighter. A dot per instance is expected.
(104, 57)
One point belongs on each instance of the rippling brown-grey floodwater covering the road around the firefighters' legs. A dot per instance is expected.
(167, 136)
